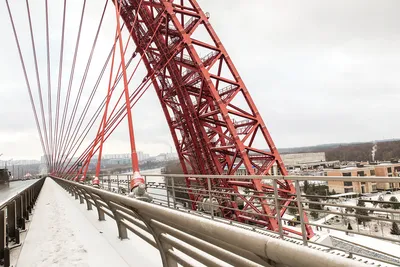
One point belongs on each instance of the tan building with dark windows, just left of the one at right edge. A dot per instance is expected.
(348, 187)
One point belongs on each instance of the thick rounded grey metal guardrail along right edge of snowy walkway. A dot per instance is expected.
(205, 241)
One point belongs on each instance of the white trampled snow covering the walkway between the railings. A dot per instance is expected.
(61, 234)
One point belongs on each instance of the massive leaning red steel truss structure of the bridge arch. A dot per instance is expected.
(213, 120)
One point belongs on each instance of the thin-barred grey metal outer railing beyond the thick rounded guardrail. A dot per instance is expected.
(328, 213)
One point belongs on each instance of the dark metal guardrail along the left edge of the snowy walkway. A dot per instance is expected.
(14, 212)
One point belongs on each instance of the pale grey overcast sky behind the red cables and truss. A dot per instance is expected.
(319, 71)
